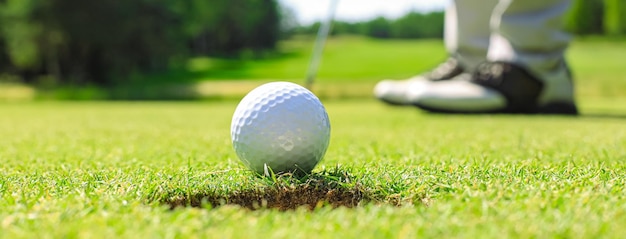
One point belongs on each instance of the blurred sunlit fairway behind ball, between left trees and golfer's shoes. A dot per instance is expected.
(350, 67)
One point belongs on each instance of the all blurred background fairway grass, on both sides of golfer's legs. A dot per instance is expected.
(352, 65)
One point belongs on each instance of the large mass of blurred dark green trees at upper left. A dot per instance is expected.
(95, 41)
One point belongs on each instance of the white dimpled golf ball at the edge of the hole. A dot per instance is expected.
(281, 125)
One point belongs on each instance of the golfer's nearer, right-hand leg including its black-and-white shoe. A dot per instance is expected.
(525, 71)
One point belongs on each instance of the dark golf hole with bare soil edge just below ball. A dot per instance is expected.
(286, 192)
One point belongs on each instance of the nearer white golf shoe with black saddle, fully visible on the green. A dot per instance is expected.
(500, 87)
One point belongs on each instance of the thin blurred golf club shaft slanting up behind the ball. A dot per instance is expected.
(318, 48)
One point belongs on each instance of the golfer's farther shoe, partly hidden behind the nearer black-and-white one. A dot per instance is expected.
(401, 92)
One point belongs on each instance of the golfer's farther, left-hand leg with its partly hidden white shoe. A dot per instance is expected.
(466, 38)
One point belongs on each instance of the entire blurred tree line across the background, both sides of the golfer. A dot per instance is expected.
(47, 43)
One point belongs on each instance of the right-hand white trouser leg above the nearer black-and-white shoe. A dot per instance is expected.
(529, 33)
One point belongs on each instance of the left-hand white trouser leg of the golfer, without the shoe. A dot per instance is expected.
(467, 30)
